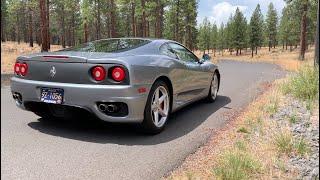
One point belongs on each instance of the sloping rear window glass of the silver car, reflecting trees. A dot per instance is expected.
(109, 45)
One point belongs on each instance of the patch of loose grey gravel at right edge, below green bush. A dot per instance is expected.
(306, 126)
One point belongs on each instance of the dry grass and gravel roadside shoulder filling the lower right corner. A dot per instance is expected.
(276, 136)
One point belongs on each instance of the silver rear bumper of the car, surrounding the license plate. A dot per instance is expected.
(86, 96)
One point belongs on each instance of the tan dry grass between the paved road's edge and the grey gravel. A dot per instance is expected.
(257, 142)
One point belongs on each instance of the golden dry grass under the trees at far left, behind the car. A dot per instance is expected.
(11, 50)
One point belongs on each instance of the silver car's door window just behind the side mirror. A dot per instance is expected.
(183, 53)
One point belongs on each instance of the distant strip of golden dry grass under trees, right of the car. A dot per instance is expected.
(284, 58)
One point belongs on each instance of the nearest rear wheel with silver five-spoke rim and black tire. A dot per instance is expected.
(156, 113)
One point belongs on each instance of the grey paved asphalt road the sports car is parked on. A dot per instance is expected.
(32, 148)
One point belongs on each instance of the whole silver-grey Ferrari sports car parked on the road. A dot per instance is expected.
(118, 80)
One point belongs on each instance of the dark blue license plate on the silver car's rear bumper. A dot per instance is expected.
(52, 95)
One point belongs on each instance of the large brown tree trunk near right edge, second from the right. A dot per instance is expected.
(303, 31)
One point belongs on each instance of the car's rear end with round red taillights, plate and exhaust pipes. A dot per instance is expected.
(57, 83)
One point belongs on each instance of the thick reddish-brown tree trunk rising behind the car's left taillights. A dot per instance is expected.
(44, 27)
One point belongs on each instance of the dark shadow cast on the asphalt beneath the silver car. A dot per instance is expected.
(91, 130)
